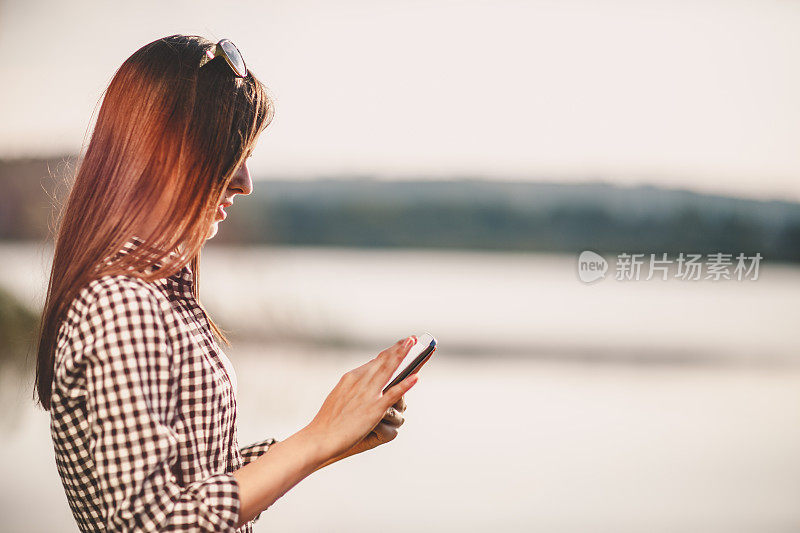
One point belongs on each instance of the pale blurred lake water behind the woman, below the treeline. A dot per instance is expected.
(551, 405)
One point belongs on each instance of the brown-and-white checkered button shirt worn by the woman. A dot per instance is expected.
(143, 414)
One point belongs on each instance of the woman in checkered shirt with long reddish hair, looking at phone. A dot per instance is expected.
(141, 397)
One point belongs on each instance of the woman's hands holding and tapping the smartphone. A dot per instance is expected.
(356, 416)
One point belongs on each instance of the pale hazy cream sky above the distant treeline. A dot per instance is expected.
(698, 94)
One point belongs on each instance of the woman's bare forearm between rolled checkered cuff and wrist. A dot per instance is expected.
(269, 477)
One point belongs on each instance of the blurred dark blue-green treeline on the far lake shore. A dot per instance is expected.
(467, 214)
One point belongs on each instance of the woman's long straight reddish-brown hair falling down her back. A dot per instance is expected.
(169, 137)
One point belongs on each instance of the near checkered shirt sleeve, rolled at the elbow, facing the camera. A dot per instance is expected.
(131, 409)
